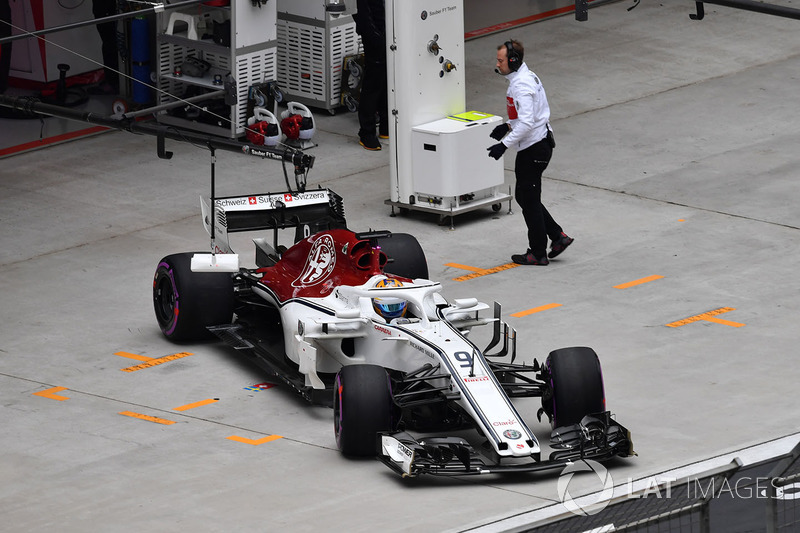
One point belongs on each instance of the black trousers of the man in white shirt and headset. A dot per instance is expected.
(528, 168)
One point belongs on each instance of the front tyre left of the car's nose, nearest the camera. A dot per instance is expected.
(362, 407)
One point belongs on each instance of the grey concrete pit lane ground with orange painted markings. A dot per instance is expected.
(677, 157)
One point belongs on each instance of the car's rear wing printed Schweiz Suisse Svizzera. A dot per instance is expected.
(308, 212)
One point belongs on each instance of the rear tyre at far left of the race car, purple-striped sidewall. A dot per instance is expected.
(187, 302)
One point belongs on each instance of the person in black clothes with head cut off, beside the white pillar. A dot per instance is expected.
(371, 26)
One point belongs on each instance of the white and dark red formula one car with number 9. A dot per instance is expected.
(351, 320)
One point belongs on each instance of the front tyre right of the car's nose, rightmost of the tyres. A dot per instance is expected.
(576, 385)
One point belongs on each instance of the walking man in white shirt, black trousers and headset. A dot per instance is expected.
(528, 131)
